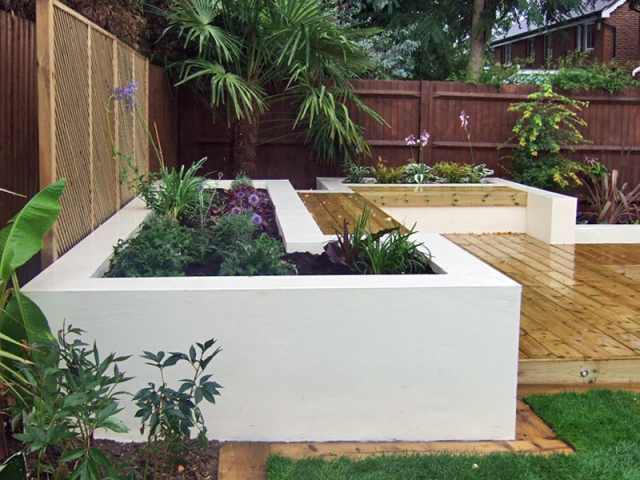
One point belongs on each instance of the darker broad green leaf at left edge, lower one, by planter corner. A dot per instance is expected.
(23, 321)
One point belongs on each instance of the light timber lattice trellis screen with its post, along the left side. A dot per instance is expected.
(78, 66)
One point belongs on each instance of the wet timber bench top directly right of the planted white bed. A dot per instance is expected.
(330, 210)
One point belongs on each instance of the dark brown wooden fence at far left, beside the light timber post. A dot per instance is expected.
(18, 120)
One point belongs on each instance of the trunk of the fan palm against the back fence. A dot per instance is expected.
(242, 146)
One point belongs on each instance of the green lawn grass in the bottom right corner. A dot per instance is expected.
(603, 426)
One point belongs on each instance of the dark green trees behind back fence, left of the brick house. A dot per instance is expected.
(450, 37)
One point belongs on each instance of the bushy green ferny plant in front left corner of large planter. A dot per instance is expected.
(162, 248)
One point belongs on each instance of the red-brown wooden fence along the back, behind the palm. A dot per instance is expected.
(411, 107)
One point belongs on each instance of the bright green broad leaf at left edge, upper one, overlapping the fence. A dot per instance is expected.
(22, 238)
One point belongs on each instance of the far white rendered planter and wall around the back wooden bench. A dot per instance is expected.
(547, 216)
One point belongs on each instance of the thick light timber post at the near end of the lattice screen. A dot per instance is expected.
(46, 112)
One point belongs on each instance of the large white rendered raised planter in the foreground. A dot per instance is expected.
(363, 358)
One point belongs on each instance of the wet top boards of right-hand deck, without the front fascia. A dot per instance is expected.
(567, 299)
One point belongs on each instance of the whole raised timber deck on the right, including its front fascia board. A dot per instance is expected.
(580, 315)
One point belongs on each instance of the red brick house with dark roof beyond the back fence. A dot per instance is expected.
(608, 30)
